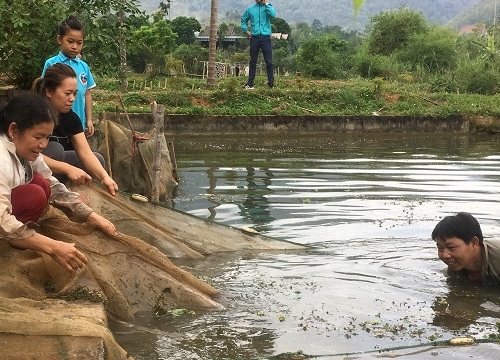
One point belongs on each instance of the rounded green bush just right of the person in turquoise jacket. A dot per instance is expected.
(323, 57)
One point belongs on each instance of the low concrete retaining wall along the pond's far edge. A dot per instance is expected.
(310, 123)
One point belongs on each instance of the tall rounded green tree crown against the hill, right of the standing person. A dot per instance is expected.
(390, 31)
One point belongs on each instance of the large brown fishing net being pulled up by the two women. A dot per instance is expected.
(125, 275)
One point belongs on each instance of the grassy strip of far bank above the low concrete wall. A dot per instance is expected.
(292, 96)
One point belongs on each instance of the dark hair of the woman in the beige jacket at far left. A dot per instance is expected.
(26, 110)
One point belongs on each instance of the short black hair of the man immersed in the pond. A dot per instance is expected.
(462, 225)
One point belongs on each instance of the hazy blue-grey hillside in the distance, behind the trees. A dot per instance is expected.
(328, 12)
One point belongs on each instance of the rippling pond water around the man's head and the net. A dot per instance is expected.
(365, 205)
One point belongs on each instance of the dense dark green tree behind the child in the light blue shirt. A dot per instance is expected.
(28, 38)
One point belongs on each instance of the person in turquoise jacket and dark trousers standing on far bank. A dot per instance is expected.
(259, 15)
